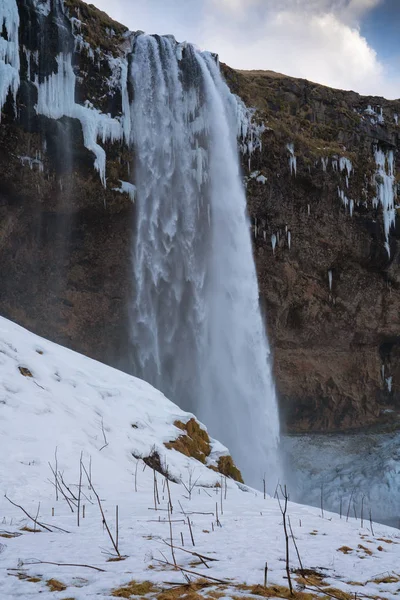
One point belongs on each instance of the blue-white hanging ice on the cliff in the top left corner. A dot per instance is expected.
(9, 51)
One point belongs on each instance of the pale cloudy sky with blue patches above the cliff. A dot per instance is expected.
(349, 44)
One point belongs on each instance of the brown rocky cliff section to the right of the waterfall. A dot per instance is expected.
(330, 287)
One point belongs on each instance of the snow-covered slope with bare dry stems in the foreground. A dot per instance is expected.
(52, 398)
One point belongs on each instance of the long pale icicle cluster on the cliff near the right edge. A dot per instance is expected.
(386, 190)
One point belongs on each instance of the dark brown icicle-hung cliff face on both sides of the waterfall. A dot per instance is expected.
(319, 195)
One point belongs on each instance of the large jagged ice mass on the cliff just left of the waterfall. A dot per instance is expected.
(56, 99)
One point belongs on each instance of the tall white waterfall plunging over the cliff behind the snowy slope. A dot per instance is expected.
(197, 329)
